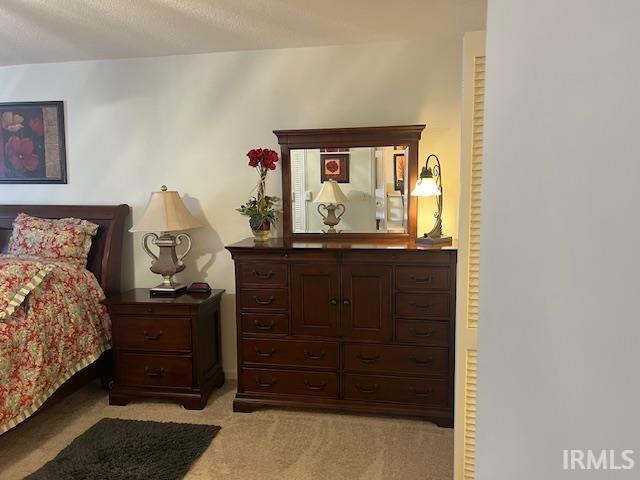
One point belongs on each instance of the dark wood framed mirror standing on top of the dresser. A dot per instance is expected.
(349, 183)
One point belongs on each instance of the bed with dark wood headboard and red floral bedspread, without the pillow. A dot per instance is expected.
(61, 322)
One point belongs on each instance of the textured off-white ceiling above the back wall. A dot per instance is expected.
(35, 31)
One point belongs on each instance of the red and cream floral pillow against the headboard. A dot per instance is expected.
(65, 239)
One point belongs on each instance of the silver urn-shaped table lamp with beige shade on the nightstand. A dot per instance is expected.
(166, 213)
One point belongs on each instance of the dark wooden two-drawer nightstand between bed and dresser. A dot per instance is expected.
(166, 347)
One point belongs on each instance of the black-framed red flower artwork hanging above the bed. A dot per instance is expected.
(32, 139)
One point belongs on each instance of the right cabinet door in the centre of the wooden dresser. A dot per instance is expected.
(366, 302)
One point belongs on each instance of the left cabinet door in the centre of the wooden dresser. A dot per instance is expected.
(315, 297)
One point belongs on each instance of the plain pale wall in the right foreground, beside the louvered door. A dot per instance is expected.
(559, 330)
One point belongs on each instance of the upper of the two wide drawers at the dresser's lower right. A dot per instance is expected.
(396, 359)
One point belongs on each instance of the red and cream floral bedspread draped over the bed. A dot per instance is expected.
(47, 335)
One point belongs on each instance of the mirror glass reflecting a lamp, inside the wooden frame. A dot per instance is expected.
(350, 190)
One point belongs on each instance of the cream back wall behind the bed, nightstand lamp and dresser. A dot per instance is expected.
(133, 125)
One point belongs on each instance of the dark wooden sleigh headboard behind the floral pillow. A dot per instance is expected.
(105, 257)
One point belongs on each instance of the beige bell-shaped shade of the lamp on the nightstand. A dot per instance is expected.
(166, 212)
